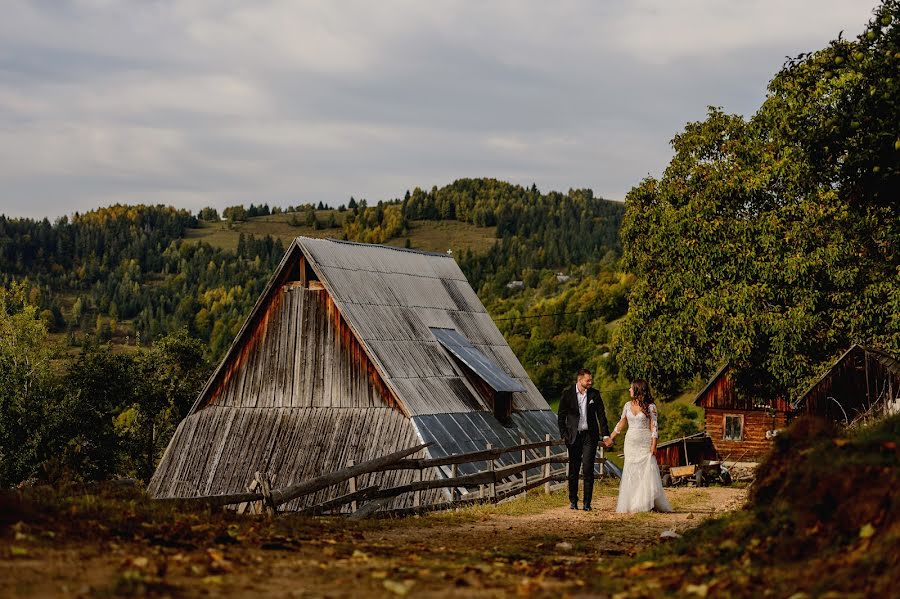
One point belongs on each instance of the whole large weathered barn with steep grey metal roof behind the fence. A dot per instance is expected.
(354, 351)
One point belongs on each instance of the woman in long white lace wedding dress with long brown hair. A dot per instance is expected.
(641, 489)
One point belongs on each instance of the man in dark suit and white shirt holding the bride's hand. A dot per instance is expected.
(581, 418)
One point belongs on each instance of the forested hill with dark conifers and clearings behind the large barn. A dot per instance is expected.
(133, 273)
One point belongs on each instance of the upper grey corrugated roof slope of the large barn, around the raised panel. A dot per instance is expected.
(393, 298)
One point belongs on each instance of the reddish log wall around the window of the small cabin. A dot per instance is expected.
(754, 446)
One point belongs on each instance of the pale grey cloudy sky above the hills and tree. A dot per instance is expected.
(196, 103)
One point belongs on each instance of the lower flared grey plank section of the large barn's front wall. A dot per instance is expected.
(218, 449)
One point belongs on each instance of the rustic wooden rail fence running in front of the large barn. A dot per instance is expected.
(493, 484)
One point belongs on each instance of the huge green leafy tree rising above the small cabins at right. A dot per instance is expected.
(771, 243)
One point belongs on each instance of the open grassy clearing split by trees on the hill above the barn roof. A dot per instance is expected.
(432, 236)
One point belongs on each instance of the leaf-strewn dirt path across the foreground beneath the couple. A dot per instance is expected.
(534, 547)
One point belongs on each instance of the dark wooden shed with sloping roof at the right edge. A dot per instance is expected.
(863, 384)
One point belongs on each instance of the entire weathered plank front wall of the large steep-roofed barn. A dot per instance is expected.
(301, 399)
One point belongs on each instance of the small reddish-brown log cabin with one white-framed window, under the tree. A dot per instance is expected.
(741, 428)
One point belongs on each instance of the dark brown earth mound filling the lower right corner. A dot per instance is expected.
(822, 517)
